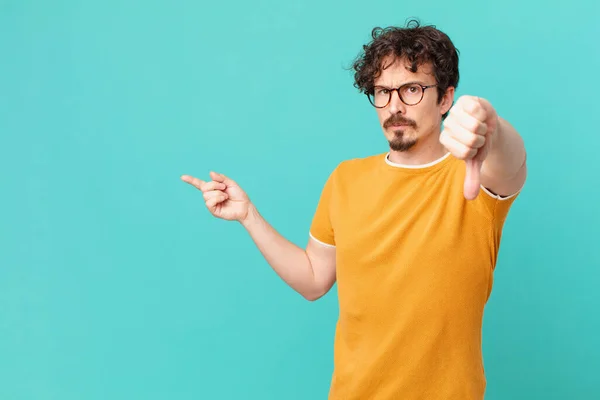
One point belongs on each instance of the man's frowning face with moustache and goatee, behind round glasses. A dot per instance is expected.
(405, 126)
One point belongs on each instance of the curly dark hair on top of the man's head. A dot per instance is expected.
(418, 44)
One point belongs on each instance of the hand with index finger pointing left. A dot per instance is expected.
(224, 198)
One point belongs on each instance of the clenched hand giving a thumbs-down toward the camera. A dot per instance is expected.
(468, 133)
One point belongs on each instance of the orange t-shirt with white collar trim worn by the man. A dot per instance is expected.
(415, 263)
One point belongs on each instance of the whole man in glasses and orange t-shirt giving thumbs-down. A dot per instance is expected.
(411, 235)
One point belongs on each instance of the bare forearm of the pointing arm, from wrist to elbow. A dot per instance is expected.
(289, 261)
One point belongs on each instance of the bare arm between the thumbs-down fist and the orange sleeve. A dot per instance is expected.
(505, 168)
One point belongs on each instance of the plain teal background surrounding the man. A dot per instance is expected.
(116, 283)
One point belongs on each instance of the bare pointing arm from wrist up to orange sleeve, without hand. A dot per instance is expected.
(310, 272)
